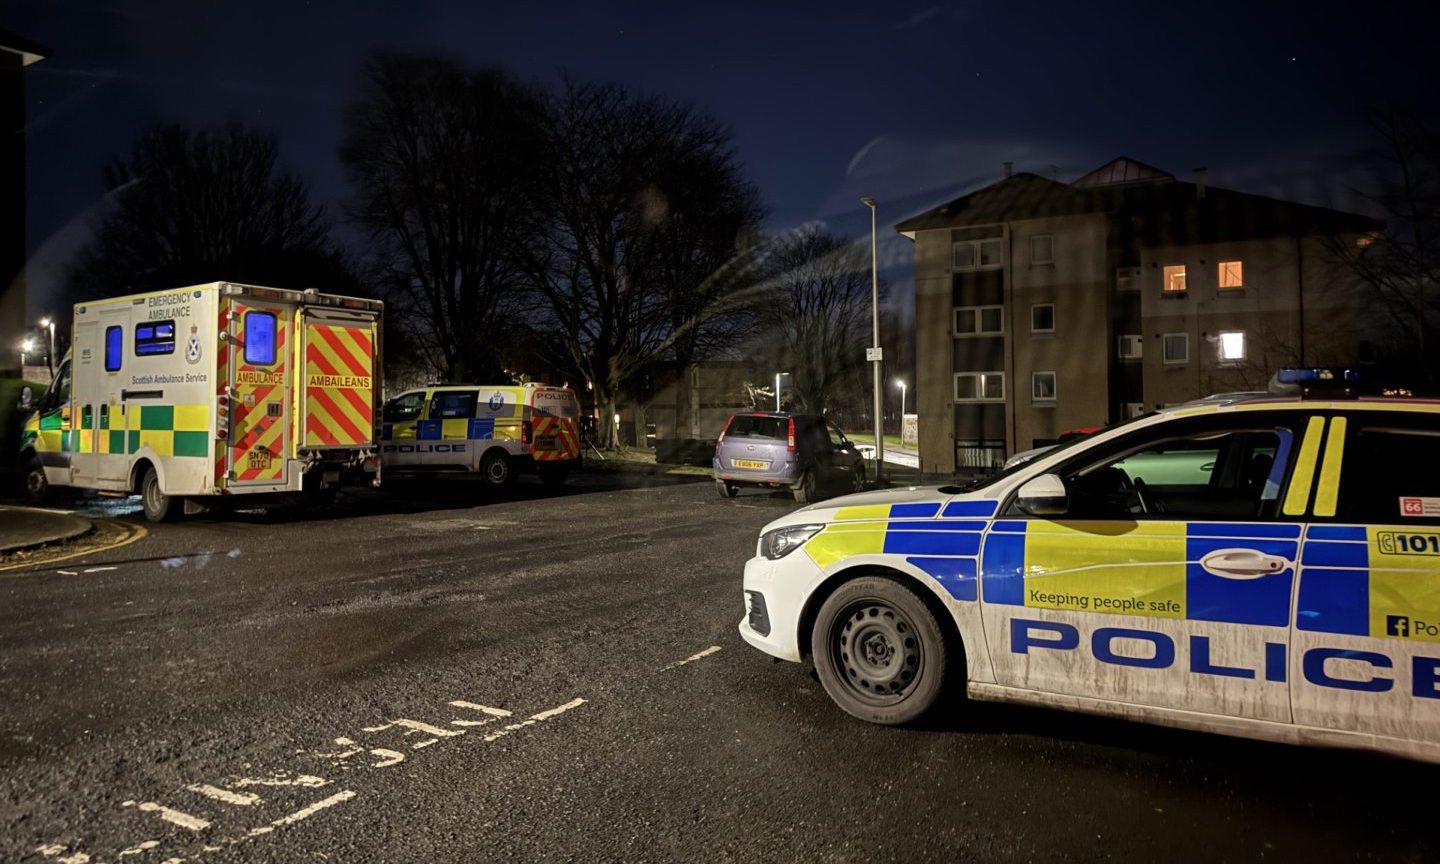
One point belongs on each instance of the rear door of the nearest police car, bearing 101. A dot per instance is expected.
(1367, 631)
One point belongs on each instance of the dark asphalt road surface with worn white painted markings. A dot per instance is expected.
(443, 675)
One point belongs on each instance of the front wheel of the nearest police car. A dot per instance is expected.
(879, 652)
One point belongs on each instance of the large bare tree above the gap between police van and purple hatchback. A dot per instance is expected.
(644, 251)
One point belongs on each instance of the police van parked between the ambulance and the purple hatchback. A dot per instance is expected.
(493, 431)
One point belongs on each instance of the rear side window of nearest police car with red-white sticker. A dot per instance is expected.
(1392, 476)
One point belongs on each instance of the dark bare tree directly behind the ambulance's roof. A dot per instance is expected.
(198, 207)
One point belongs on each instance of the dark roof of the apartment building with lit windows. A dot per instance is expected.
(1157, 208)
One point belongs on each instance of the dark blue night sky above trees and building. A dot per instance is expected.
(912, 104)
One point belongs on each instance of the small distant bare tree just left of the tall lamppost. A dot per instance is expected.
(817, 313)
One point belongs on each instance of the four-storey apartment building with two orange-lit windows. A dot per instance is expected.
(1046, 306)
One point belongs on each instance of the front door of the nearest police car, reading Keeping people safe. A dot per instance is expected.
(1167, 584)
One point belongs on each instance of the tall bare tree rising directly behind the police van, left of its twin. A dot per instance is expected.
(441, 161)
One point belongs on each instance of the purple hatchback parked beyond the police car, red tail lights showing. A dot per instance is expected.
(806, 454)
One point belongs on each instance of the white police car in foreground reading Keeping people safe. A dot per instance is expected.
(1266, 568)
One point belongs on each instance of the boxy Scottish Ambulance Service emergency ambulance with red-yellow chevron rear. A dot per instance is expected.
(212, 394)
